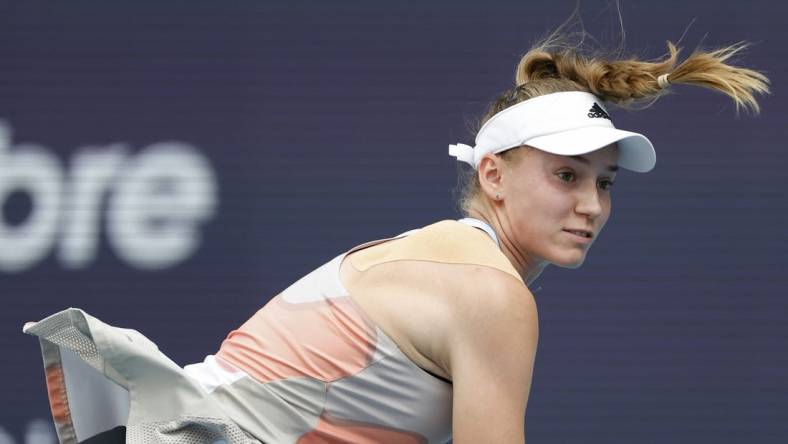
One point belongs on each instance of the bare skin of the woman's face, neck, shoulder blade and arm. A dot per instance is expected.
(478, 326)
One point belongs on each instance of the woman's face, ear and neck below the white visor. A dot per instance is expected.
(541, 194)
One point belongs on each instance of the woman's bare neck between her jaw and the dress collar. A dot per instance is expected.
(528, 267)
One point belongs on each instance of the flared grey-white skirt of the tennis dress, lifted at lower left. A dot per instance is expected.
(101, 377)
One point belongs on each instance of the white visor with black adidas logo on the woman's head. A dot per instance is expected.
(565, 123)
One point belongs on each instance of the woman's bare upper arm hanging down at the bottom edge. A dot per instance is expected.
(492, 349)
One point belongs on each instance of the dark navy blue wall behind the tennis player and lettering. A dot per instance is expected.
(325, 124)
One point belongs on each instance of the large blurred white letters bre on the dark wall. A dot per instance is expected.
(156, 202)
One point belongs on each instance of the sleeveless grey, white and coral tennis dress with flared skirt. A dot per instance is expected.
(309, 367)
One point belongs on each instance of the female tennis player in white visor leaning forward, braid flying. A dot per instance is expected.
(423, 337)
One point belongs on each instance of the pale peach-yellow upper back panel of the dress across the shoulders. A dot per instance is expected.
(447, 241)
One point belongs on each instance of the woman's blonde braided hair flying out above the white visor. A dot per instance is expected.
(556, 65)
